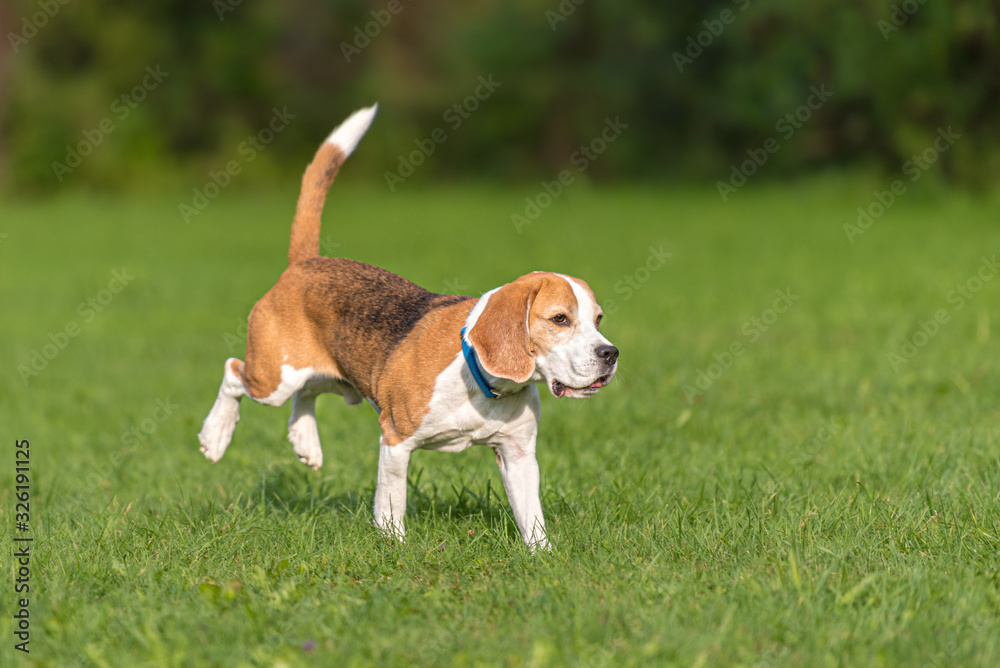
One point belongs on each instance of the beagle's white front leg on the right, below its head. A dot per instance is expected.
(519, 470)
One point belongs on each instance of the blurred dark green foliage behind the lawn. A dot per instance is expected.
(698, 84)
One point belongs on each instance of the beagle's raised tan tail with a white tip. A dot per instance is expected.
(317, 180)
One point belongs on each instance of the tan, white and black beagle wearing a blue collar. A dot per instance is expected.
(444, 372)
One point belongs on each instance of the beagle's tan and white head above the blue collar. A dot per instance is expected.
(544, 326)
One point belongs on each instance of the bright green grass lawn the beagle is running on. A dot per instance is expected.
(732, 530)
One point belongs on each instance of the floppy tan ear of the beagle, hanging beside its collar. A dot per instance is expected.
(500, 335)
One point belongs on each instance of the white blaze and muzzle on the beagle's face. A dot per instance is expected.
(574, 363)
